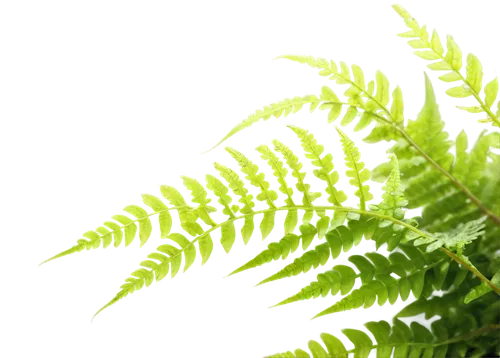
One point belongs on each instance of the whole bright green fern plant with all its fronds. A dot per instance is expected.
(442, 262)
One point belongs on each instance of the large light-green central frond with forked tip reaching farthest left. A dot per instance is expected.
(194, 212)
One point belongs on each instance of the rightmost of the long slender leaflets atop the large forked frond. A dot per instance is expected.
(357, 170)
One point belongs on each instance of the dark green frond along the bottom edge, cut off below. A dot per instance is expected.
(436, 327)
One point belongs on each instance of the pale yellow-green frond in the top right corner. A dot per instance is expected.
(466, 73)
